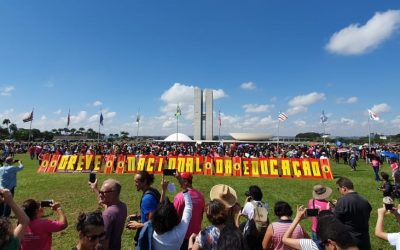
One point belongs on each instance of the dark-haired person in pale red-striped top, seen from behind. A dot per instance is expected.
(275, 231)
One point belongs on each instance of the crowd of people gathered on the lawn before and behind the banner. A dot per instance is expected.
(176, 222)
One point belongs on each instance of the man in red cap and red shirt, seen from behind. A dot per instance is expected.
(185, 181)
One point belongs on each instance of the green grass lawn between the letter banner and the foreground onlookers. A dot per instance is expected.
(72, 191)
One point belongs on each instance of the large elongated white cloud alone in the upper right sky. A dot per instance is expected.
(358, 39)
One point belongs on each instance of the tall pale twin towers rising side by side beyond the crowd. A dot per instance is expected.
(200, 115)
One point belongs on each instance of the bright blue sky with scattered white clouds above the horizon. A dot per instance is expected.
(259, 57)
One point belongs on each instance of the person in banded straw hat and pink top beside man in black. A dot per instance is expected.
(319, 201)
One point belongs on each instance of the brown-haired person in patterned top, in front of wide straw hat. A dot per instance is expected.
(208, 237)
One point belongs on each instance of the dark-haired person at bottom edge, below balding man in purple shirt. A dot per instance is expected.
(90, 227)
